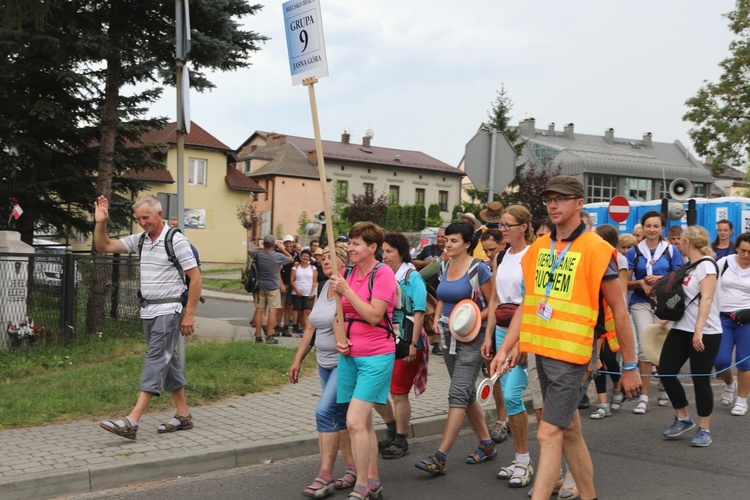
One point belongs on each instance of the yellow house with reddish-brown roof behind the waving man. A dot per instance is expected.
(213, 191)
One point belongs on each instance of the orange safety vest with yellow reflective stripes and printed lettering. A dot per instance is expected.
(569, 333)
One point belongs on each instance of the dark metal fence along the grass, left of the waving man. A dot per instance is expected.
(61, 296)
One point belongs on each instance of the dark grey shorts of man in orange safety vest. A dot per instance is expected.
(561, 389)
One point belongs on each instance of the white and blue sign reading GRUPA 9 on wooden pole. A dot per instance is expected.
(304, 40)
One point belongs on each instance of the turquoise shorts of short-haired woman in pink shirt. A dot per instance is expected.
(367, 378)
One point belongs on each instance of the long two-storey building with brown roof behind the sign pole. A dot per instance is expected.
(285, 167)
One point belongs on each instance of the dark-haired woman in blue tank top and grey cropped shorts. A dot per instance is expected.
(463, 360)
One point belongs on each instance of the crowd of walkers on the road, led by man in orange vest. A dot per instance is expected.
(588, 318)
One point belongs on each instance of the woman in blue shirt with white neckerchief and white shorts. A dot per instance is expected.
(648, 261)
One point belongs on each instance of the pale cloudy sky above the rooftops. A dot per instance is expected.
(424, 75)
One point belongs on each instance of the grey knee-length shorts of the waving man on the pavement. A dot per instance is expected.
(161, 368)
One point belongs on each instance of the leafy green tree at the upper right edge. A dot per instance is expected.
(720, 111)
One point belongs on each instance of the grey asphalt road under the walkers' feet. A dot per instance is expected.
(631, 461)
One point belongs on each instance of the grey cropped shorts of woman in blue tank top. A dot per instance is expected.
(464, 368)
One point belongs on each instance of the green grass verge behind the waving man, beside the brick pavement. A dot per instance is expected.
(55, 384)
